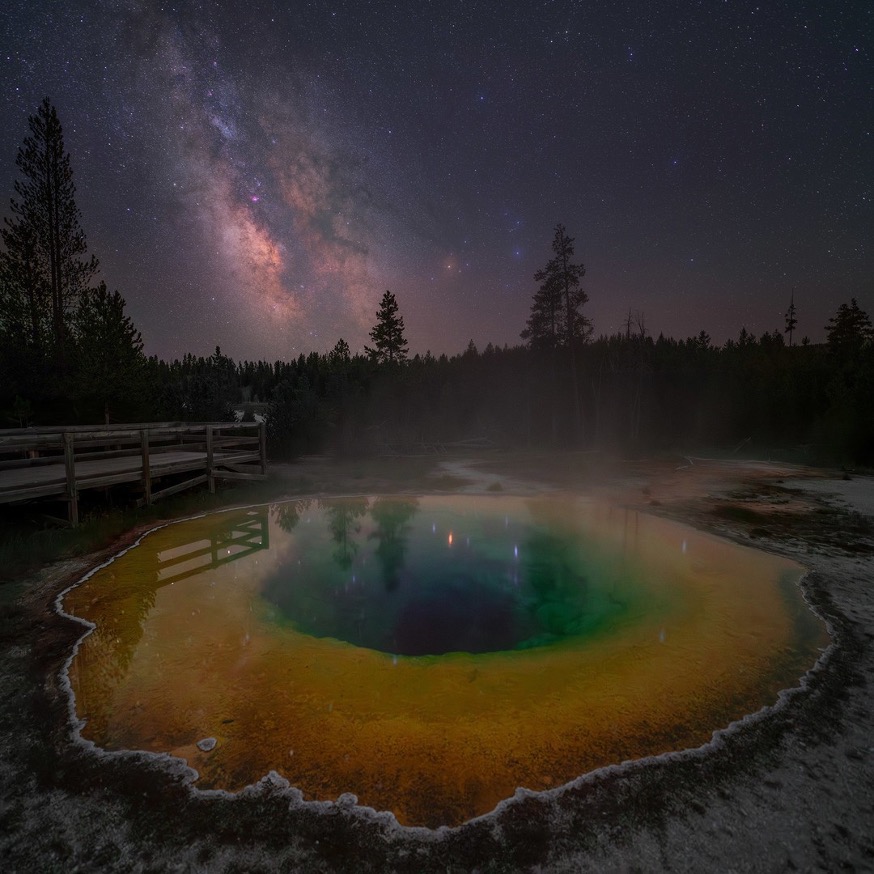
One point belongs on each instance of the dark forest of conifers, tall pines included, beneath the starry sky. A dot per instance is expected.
(70, 355)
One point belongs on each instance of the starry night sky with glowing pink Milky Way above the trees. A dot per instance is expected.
(255, 174)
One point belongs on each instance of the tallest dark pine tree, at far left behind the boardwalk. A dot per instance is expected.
(44, 268)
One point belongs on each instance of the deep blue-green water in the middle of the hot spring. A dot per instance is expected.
(393, 575)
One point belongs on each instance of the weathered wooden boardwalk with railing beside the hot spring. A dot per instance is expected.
(61, 462)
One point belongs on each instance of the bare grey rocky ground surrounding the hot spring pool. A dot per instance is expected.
(792, 789)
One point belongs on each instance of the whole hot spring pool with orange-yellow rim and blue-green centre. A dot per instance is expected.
(432, 654)
